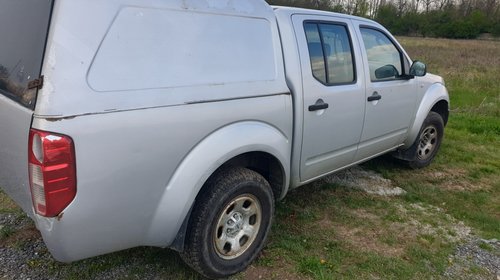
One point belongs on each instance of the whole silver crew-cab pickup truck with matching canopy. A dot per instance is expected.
(179, 123)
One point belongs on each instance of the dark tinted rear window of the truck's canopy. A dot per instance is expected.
(23, 32)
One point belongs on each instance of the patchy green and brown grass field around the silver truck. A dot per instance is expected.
(325, 231)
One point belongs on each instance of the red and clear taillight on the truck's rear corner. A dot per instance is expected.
(52, 172)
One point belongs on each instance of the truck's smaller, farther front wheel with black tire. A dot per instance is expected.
(428, 141)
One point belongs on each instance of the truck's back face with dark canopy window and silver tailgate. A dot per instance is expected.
(23, 32)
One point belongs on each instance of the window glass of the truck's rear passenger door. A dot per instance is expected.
(330, 51)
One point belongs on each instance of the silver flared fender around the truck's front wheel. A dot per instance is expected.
(435, 93)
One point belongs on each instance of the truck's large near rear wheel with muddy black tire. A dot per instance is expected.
(232, 194)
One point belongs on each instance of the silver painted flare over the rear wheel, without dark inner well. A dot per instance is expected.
(204, 159)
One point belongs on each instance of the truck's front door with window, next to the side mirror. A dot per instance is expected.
(390, 95)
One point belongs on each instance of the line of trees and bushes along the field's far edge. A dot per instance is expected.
(461, 19)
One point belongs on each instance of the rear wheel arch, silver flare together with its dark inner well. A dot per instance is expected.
(244, 144)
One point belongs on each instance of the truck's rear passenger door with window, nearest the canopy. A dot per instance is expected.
(333, 94)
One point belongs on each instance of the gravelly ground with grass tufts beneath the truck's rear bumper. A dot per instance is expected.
(24, 256)
